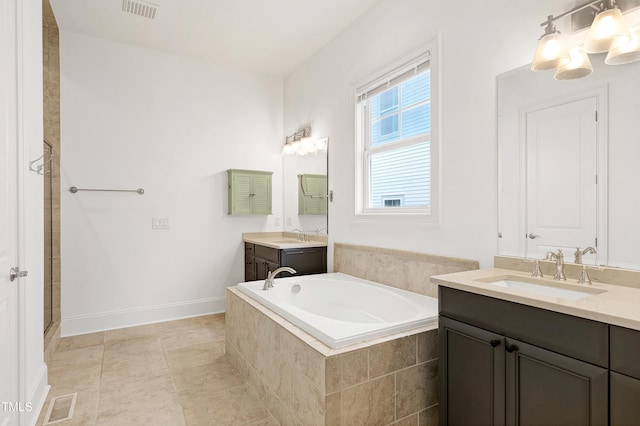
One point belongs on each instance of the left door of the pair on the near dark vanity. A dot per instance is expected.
(471, 374)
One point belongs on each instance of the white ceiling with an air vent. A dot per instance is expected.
(265, 36)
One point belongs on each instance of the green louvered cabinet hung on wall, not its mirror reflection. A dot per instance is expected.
(249, 192)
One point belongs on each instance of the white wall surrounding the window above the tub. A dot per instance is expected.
(479, 39)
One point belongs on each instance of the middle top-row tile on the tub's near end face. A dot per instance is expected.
(392, 356)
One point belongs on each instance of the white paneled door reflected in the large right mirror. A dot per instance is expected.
(562, 169)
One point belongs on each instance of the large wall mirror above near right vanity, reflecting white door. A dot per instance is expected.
(569, 164)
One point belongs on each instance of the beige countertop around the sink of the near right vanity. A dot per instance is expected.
(617, 305)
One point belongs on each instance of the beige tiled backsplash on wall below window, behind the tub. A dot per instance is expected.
(397, 268)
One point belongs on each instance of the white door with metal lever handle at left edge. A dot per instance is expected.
(8, 218)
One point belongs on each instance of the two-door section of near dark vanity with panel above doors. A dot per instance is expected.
(506, 363)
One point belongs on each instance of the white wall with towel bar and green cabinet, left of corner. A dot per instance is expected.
(133, 117)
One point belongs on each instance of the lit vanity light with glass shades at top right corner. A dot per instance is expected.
(608, 33)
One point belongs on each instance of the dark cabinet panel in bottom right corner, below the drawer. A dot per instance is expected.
(625, 400)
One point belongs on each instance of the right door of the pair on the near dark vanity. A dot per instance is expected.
(546, 388)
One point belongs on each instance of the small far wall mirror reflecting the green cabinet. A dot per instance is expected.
(305, 193)
